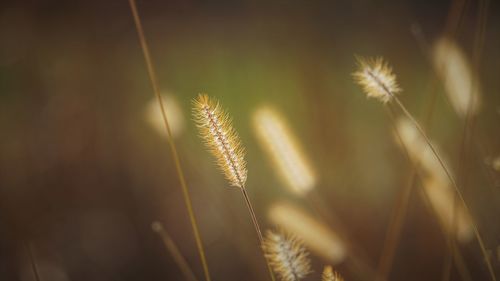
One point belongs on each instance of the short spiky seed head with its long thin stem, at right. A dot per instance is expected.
(377, 80)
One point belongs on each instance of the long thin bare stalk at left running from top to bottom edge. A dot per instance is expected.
(173, 149)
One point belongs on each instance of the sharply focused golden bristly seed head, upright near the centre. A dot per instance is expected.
(221, 139)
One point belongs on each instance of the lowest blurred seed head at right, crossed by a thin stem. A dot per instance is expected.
(441, 197)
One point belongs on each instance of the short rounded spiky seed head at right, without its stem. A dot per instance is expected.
(376, 78)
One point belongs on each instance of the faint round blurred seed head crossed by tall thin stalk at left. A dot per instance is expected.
(175, 116)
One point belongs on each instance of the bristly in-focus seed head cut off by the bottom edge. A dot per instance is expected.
(287, 256)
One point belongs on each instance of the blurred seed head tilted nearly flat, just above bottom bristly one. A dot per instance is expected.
(316, 235)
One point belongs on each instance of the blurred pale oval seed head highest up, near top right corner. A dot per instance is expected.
(460, 82)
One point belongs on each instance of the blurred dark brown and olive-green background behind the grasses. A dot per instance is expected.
(83, 173)
